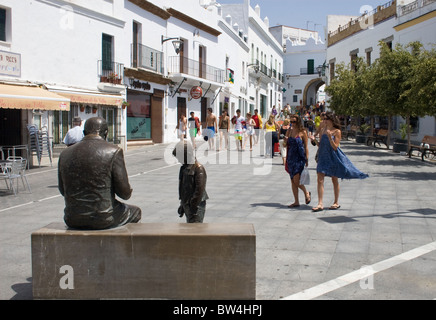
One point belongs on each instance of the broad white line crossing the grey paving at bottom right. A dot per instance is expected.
(361, 274)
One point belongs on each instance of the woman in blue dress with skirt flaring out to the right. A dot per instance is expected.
(332, 162)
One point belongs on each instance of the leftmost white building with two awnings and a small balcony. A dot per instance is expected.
(57, 45)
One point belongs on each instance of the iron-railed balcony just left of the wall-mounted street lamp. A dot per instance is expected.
(146, 58)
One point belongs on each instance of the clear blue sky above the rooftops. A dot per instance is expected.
(297, 13)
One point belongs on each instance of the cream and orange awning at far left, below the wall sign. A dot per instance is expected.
(31, 97)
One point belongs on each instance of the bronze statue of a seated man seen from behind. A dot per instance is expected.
(90, 174)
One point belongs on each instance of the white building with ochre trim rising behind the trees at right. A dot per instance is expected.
(392, 23)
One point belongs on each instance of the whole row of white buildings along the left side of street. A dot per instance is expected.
(117, 59)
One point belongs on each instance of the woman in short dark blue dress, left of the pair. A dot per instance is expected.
(297, 157)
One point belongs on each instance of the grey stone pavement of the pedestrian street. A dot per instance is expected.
(379, 245)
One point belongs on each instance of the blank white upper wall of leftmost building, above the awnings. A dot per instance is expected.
(52, 41)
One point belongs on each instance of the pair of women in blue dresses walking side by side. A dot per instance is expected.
(331, 161)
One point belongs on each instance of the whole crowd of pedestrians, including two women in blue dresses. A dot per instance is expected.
(293, 137)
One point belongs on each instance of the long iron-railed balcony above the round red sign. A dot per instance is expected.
(182, 65)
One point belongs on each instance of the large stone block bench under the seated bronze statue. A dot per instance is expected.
(145, 261)
